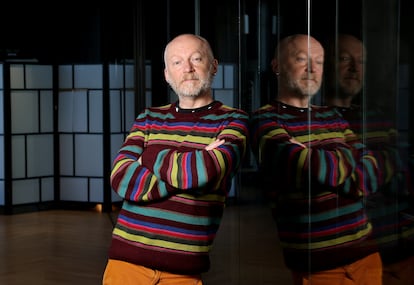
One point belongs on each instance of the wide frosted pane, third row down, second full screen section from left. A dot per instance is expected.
(88, 155)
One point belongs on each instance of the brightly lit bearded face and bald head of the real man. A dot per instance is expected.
(188, 67)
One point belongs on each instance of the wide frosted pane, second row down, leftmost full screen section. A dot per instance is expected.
(24, 112)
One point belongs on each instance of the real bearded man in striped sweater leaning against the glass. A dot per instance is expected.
(174, 171)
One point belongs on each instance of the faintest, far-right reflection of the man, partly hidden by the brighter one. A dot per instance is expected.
(387, 209)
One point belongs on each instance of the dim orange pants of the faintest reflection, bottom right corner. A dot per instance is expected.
(399, 273)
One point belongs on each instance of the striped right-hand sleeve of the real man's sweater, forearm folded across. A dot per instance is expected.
(200, 170)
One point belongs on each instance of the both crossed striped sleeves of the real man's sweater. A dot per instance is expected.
(144, 172)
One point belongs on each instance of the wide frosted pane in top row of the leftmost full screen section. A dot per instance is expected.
(39, 77)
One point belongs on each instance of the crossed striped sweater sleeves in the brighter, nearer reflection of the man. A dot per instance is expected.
(330, 160)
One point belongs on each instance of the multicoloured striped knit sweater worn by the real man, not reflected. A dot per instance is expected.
(174, 198)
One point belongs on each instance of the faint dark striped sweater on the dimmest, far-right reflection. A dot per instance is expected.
(391, 228)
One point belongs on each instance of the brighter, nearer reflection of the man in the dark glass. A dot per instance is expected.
(318, 173)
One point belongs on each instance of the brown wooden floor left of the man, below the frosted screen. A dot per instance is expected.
(53, 247)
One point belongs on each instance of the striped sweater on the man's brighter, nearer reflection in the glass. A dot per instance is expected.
(318, 188)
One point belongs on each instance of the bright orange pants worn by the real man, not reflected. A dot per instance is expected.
(123, 273)
